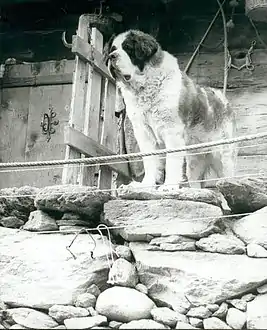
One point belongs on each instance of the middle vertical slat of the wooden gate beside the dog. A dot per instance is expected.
(92, 108)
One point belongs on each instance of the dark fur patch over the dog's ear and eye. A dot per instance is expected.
(140, 47)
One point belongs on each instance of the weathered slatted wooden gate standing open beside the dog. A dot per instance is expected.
(92, 128)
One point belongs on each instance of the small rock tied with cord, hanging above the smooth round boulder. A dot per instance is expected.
(123, 273)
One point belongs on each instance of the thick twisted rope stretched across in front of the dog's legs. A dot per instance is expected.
(133, 156)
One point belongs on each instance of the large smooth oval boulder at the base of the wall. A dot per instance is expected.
(111, 303)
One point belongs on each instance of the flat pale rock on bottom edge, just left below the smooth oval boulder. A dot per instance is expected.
(85, 322)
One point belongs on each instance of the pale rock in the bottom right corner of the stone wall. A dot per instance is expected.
(257, 313)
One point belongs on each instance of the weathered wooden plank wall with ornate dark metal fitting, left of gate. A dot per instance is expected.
(39, 86)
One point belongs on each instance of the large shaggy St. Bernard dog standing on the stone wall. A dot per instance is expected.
(168, 110)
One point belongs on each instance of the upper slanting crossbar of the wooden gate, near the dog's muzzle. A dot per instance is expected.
(88, 53)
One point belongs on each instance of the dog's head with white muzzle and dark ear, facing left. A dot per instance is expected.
(130, 52)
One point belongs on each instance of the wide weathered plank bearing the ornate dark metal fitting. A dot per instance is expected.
(37, 146)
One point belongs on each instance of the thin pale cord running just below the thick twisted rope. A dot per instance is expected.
(218, 148)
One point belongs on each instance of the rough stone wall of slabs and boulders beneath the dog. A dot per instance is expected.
(184, 260)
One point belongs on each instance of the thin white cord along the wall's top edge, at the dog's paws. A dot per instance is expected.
(255, 175)
